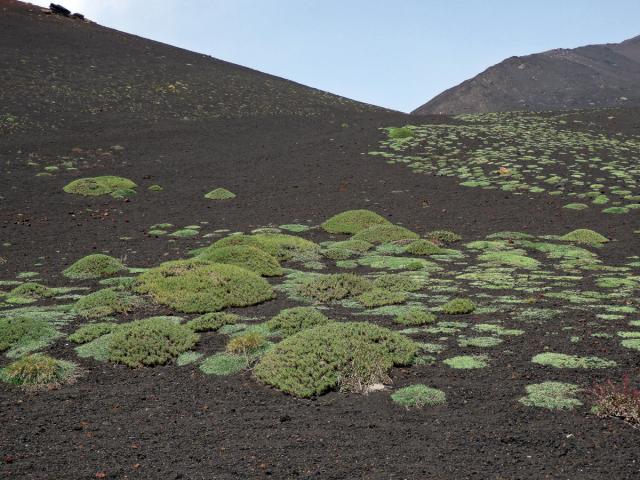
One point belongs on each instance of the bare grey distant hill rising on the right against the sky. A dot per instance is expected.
(586, 77)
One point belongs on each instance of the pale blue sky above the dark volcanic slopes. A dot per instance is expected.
(393, 54)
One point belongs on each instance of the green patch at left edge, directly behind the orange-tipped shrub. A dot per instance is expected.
(24, 334)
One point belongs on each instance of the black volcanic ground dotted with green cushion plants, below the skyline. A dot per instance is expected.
(207, 152)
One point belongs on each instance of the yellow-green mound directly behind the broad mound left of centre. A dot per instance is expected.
(245, 256)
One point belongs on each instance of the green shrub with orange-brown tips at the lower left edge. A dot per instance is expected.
(38, 371)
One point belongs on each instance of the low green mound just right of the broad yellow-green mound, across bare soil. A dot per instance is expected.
(327, 288)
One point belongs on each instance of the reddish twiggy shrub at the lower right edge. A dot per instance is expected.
(617, 400)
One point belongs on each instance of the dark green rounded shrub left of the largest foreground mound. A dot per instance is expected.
(149, 342)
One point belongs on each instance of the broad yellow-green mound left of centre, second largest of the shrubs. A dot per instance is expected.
(195, 287)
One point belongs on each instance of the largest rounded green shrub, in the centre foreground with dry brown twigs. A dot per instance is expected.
(351, 356)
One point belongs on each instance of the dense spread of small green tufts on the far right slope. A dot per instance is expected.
(524, 153)
